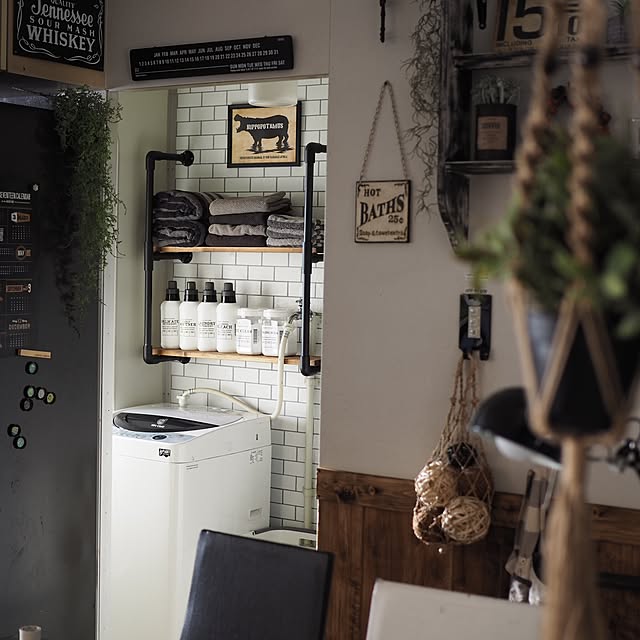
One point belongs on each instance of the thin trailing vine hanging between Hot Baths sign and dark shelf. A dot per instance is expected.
(424, 82)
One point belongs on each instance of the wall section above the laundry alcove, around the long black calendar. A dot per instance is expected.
(151, 23)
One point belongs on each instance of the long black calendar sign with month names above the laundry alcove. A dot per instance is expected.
(272, 53)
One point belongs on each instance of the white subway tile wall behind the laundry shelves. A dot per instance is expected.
(260, 279)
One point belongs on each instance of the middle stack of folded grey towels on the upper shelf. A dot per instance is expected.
(242, 222)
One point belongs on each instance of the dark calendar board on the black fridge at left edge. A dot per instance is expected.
(16, 269)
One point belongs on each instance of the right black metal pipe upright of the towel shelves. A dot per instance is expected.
(306, 368)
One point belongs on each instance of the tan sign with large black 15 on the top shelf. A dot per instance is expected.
(520, 25)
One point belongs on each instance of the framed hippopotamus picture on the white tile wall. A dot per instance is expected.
(263, 136)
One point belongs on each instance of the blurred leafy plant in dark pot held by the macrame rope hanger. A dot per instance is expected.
(530, 247)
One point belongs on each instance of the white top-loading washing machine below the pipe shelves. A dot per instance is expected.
(175, 472)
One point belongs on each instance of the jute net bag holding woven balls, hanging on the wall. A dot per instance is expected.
(454, 489)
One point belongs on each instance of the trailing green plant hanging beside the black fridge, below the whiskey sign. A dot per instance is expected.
(88, 208)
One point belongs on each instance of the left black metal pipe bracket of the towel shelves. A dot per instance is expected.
(185, 158)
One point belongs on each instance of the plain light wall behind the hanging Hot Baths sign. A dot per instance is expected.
(390, 325)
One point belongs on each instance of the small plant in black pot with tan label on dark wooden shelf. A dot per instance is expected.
(496, 111)
